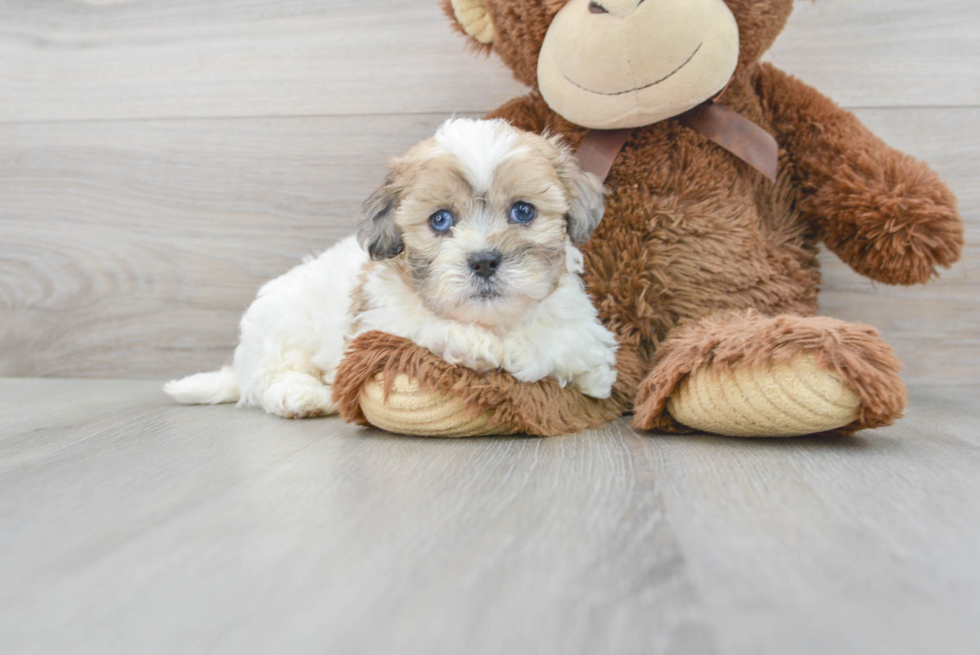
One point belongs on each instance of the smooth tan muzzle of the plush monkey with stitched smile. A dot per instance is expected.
(609, 64)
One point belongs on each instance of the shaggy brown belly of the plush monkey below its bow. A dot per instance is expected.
(690, 231)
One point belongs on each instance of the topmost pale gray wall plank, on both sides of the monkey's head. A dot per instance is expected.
(151, 59)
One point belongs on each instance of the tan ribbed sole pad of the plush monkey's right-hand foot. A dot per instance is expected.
(788, 399)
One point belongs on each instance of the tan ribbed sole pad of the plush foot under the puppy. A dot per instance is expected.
(412, 411)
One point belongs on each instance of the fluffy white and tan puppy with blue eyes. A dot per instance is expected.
(467, 249)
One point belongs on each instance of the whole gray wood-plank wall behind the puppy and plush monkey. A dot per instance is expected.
(159, 159)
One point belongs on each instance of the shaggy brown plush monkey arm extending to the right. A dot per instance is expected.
(885, 214)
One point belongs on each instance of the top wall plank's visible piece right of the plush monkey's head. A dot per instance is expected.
(885, 53)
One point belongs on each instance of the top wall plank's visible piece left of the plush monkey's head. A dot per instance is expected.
(181, 58)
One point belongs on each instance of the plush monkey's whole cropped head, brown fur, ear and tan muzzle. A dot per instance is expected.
(609, 64)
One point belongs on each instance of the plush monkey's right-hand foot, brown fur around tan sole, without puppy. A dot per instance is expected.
(752, 376)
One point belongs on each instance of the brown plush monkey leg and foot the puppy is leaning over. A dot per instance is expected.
(393, 384)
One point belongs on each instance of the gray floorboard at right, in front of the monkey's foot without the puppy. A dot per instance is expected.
(865, 544)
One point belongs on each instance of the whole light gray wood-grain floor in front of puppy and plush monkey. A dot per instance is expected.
(138, 526)
